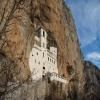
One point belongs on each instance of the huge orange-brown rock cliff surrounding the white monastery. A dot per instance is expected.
(19, 20)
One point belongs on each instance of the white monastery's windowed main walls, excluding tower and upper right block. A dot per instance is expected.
(41, 58)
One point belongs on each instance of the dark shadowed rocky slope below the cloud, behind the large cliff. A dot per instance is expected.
(92, 81)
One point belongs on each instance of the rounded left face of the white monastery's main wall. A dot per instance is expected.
(36, 63)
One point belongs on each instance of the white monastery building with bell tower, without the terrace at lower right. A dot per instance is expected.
(41, 58)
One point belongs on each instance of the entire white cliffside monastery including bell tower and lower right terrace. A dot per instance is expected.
(43, 60)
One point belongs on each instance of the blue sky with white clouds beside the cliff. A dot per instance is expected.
(86, 15)
